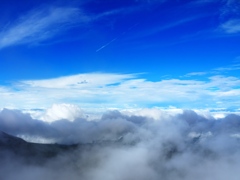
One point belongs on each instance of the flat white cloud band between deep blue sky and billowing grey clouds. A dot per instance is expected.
(109, 90)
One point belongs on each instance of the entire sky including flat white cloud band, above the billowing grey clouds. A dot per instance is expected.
(120, 54)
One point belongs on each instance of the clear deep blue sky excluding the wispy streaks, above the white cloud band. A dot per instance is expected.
(160, 38)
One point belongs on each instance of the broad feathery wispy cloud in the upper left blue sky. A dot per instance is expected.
(40, 24)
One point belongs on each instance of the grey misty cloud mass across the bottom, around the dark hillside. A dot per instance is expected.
(120, 146)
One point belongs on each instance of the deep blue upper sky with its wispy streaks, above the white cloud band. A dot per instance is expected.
(158, 39)
